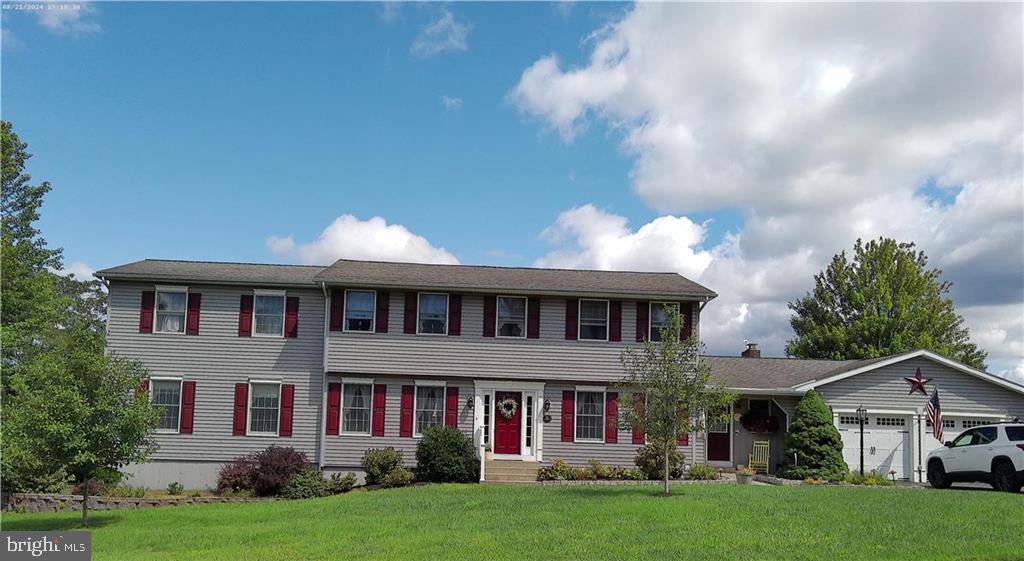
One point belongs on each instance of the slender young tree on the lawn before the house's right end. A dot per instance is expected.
(674, 392)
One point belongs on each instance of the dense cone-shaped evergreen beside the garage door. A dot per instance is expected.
(814, 448)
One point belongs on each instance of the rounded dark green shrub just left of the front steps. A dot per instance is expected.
(445, 455)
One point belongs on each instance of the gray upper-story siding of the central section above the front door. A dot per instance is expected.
(550, 358)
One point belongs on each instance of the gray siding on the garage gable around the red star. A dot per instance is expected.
(885, 390)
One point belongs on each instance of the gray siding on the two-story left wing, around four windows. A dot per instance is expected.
(217, 360)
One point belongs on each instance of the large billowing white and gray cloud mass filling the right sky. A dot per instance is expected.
(822, 122)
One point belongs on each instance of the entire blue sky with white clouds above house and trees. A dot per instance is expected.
(742, 146)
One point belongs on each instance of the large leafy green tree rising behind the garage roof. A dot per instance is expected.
(883, 301)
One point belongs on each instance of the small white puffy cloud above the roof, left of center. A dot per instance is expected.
(350, 238)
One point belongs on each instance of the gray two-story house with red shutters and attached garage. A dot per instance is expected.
(340, 360)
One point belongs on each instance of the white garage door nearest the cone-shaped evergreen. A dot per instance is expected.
(887, 444)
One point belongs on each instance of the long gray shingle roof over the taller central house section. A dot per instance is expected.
(518, 280)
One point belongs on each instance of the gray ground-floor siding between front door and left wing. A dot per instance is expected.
(346, 451)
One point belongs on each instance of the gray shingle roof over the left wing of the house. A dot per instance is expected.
(209, 272)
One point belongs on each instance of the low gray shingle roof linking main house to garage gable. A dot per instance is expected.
(741, 372)
